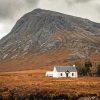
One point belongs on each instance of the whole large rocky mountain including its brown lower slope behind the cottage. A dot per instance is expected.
(43, 37)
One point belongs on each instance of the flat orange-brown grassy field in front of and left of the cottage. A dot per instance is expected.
(35, 80)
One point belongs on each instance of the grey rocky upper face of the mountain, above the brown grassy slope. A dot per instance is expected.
(46, 31)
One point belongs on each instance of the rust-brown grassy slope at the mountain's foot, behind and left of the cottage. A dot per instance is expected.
(30, 62)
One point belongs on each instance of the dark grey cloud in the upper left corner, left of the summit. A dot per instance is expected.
(9, 8)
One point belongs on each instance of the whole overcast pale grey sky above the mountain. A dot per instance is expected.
(12, 10)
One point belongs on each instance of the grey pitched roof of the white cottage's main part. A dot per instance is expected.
(66, 68)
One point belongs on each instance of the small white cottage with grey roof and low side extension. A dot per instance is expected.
(63, 71)
